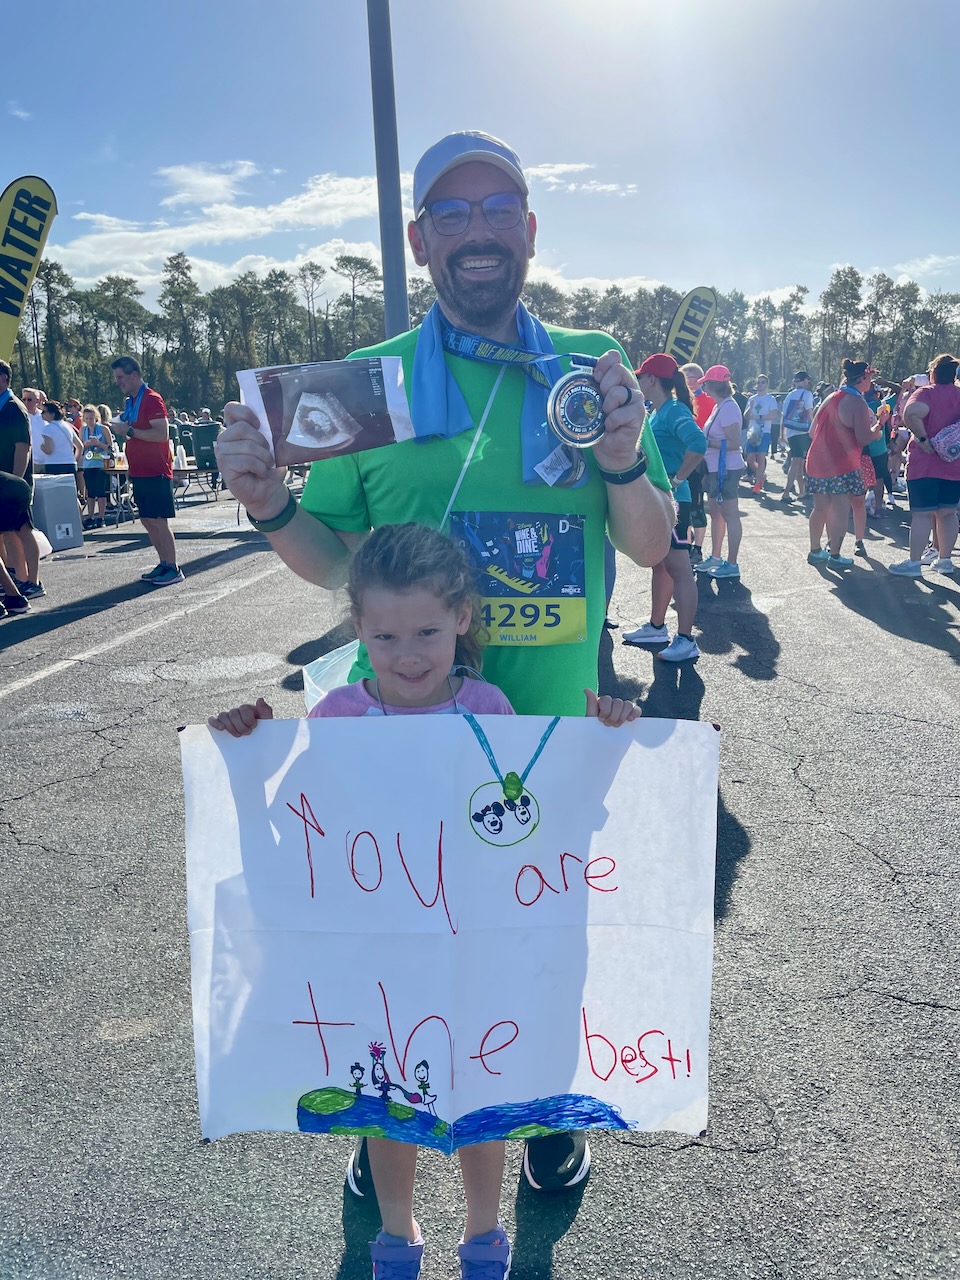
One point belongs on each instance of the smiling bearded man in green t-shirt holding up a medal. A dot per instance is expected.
(477, 235)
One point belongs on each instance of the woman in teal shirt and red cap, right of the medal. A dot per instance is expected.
(683, 446)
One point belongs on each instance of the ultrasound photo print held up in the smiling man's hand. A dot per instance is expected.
(323, 410)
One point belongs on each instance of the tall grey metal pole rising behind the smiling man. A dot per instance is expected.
(392, 249)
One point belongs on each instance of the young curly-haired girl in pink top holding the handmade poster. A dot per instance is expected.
(413, 602)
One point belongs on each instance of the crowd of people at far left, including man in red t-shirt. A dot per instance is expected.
(104, 451)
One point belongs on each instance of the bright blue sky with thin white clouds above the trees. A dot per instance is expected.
(751, 147)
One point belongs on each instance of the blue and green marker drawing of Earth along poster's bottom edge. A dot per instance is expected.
(335, 1110)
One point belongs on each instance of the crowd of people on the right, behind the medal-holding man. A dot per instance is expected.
(849, 454)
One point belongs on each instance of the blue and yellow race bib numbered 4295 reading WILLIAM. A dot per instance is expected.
(531, 575)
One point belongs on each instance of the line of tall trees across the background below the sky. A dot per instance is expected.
(193, 346)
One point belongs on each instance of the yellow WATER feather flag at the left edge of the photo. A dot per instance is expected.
(28, 209)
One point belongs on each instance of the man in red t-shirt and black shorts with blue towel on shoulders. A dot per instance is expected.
(147, 432)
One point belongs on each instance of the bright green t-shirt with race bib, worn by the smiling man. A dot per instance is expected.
(538, 550)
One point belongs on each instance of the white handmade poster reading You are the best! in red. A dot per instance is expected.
(445, 930)
